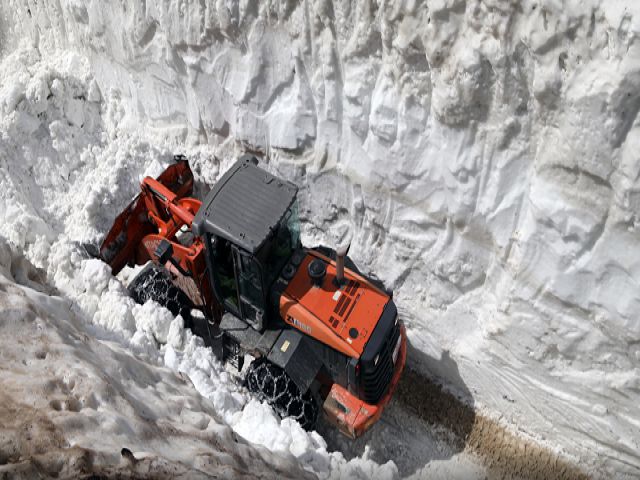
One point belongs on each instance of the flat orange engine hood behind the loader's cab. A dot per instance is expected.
(331, 314)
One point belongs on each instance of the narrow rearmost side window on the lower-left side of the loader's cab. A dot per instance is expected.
(250, 289)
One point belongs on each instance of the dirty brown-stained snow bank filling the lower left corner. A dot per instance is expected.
(72, 405)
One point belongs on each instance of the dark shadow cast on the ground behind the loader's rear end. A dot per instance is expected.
(422, 423)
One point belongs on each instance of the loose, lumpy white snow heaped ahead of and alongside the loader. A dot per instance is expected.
(67, 170)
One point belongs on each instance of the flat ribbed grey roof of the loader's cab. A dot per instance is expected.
(245, 205)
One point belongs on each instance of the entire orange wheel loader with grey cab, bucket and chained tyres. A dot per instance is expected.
(321, 334)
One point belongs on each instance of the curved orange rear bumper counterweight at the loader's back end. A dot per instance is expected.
(354, 416)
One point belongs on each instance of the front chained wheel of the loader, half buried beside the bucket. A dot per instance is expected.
(154, 283)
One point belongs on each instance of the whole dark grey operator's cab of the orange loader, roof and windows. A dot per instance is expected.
(251, 230)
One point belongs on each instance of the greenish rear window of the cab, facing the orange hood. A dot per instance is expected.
(278, 249)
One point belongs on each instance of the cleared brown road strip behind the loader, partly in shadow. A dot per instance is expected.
(425, 428)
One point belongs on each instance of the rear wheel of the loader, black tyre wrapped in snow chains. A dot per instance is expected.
(271, 383)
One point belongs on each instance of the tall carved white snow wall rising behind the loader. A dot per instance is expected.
(484, 154)
